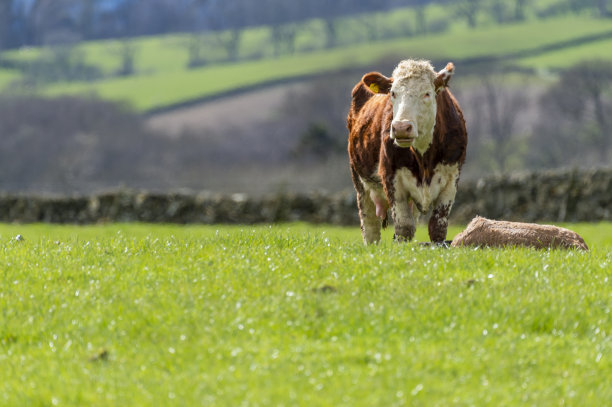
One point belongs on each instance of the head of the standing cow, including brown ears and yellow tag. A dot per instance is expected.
(412, 88)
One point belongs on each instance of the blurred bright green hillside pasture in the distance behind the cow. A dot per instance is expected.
(162, 79)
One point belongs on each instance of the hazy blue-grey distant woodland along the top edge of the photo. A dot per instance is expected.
(48, 22)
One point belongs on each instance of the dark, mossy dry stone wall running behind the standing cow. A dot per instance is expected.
(568, 196)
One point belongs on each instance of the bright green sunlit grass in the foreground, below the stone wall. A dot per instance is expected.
(298, 315)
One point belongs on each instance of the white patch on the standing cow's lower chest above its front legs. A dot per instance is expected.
(442, 188)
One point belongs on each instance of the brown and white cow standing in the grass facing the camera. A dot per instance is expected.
(407, 142)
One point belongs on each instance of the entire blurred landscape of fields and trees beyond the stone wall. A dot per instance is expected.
(238, 96)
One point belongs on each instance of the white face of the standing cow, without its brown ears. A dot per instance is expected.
(414, 112)
